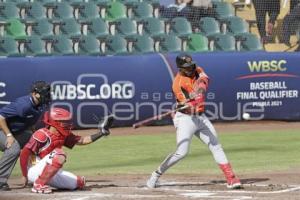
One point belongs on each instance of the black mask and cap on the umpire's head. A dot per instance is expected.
(44, 90)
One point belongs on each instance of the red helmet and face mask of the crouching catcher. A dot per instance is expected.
(60, 119)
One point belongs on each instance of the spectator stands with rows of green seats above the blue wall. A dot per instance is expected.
(122, 27)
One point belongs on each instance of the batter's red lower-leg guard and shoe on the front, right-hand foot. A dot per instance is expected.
(232, 181)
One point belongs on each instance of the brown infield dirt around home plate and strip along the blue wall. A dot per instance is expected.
(277, 185)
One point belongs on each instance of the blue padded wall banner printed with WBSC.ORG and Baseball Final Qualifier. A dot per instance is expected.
(265, 85)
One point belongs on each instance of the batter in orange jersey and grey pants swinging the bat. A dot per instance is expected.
(189, 88)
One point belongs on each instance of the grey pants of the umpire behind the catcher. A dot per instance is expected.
(11, 155)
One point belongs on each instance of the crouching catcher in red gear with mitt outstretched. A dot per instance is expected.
(42, 158)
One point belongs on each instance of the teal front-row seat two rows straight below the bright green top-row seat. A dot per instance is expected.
(116, 45)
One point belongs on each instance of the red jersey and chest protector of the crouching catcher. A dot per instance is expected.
(43, 142)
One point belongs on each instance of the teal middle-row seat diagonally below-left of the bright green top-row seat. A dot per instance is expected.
(97, 27)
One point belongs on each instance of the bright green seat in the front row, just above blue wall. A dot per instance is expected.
(197, 43)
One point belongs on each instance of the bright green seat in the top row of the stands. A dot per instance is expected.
(115, 10)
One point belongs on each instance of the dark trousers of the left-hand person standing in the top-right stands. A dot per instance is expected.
(264, 8)
